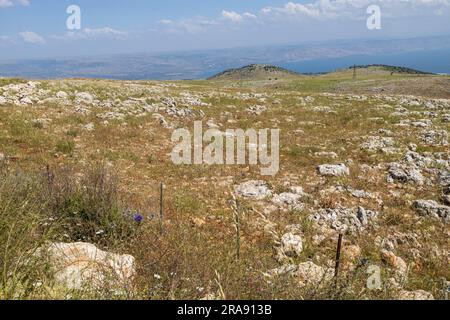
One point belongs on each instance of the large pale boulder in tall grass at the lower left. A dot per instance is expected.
(82, 266)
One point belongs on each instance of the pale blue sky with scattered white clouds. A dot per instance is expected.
(38, 28)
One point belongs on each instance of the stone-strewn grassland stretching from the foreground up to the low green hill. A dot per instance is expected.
(191, 254)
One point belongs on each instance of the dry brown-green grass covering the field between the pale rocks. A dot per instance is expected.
(195, 254)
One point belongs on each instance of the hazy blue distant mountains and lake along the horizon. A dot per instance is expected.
(427, 54)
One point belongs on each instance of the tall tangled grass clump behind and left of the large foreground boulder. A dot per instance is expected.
(47, 206)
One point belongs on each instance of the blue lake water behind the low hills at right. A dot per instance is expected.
(436, 61)
